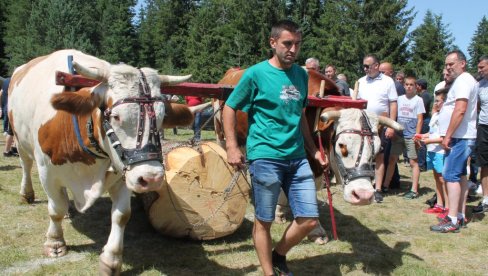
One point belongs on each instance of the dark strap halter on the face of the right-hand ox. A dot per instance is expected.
(366, 170)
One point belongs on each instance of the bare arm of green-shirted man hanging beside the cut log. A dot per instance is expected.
(234, 155)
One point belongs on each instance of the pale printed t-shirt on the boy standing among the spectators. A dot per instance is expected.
(408, 109)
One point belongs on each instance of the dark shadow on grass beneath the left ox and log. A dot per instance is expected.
(145, 249)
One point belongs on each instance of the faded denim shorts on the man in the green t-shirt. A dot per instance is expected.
(295, 177)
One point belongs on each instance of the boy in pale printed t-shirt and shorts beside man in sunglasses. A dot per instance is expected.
(410, 111)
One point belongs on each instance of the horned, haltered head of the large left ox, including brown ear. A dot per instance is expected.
(132, 110)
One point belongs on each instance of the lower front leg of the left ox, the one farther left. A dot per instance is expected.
(55, 246)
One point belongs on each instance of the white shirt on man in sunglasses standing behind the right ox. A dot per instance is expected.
(379, 92)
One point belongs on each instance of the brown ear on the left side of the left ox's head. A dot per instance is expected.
(81, 102)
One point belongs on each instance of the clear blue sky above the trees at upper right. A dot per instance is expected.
(460, 17)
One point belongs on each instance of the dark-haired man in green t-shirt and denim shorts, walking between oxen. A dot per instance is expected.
(274, 94)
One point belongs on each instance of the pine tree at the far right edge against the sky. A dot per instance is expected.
(479, 44)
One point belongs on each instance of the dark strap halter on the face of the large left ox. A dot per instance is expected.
(150, 151)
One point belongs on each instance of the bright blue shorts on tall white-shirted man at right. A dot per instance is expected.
(456, 159)
